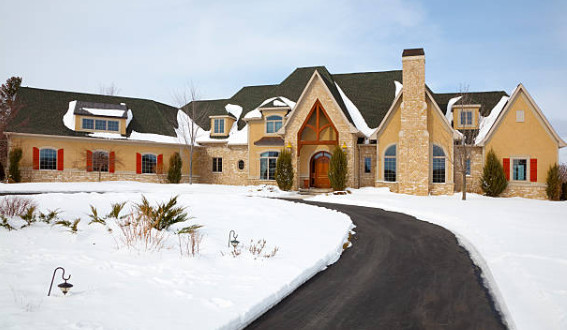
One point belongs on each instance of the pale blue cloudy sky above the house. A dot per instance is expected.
(151, 49)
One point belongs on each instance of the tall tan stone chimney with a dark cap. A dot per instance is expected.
(413, 150)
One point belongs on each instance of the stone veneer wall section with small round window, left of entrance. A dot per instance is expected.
(230, 155)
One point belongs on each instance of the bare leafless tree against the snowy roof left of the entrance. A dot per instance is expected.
(187, 100)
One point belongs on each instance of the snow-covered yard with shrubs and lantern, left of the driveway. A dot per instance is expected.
(120, 288)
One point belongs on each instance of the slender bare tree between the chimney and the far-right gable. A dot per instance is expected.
(464, 148)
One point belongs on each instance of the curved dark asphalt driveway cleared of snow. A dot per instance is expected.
(399, 274)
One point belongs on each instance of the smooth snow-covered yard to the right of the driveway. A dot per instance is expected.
(520, 244)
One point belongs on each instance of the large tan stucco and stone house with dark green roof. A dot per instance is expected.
(396, 132)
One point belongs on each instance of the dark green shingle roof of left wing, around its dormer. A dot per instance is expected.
(43, 110)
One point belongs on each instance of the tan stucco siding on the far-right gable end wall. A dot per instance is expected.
(528, 139)
